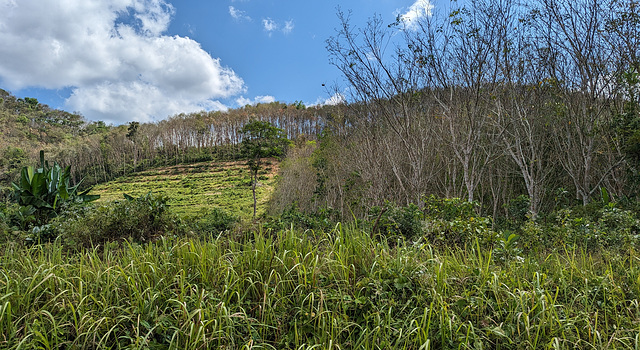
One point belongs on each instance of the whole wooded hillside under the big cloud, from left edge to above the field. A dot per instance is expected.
(99, 153)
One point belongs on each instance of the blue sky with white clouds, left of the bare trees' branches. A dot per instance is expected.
(145, 60)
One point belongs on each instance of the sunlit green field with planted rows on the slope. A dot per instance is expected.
(196, 187)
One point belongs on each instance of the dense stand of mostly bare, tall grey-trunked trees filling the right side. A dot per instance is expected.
(490, 101)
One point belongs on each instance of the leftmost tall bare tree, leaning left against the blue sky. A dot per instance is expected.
(387, 87)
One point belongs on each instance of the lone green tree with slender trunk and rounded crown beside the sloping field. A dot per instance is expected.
(260, 140)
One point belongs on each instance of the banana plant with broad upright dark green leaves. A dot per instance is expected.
(47, 187)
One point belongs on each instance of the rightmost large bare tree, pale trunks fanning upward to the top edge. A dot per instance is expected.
(584, 68)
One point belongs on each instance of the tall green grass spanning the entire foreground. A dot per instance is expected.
(314, 290)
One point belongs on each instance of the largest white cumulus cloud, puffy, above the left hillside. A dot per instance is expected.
(114, 57)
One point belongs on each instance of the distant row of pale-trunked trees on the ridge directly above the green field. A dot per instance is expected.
(182, 138)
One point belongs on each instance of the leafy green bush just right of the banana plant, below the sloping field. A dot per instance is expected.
(137, 219)
